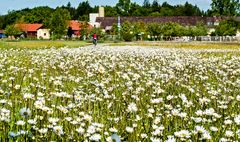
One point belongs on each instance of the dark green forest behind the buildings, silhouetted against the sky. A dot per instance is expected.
(43, 14)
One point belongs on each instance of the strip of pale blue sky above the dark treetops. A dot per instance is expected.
(6, 5)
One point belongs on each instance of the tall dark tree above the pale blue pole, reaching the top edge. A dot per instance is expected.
(123, 7)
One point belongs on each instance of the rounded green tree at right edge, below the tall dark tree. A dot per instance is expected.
(227, 27)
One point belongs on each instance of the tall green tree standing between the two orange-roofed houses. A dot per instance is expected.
(59, 22)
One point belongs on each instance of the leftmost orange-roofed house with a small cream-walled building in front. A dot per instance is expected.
(33, 31)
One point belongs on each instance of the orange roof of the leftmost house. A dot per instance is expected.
(29, 27)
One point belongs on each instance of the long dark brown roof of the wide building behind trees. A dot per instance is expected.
(184, 20)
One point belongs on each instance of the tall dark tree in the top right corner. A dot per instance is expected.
(225, 7)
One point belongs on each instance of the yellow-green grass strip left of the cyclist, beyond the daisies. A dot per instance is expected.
(41, 44)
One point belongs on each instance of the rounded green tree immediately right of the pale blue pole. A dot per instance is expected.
(127, 31)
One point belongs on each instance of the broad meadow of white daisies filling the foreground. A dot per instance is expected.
(128, 93)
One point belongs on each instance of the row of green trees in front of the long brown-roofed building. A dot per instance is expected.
(165, 31)
